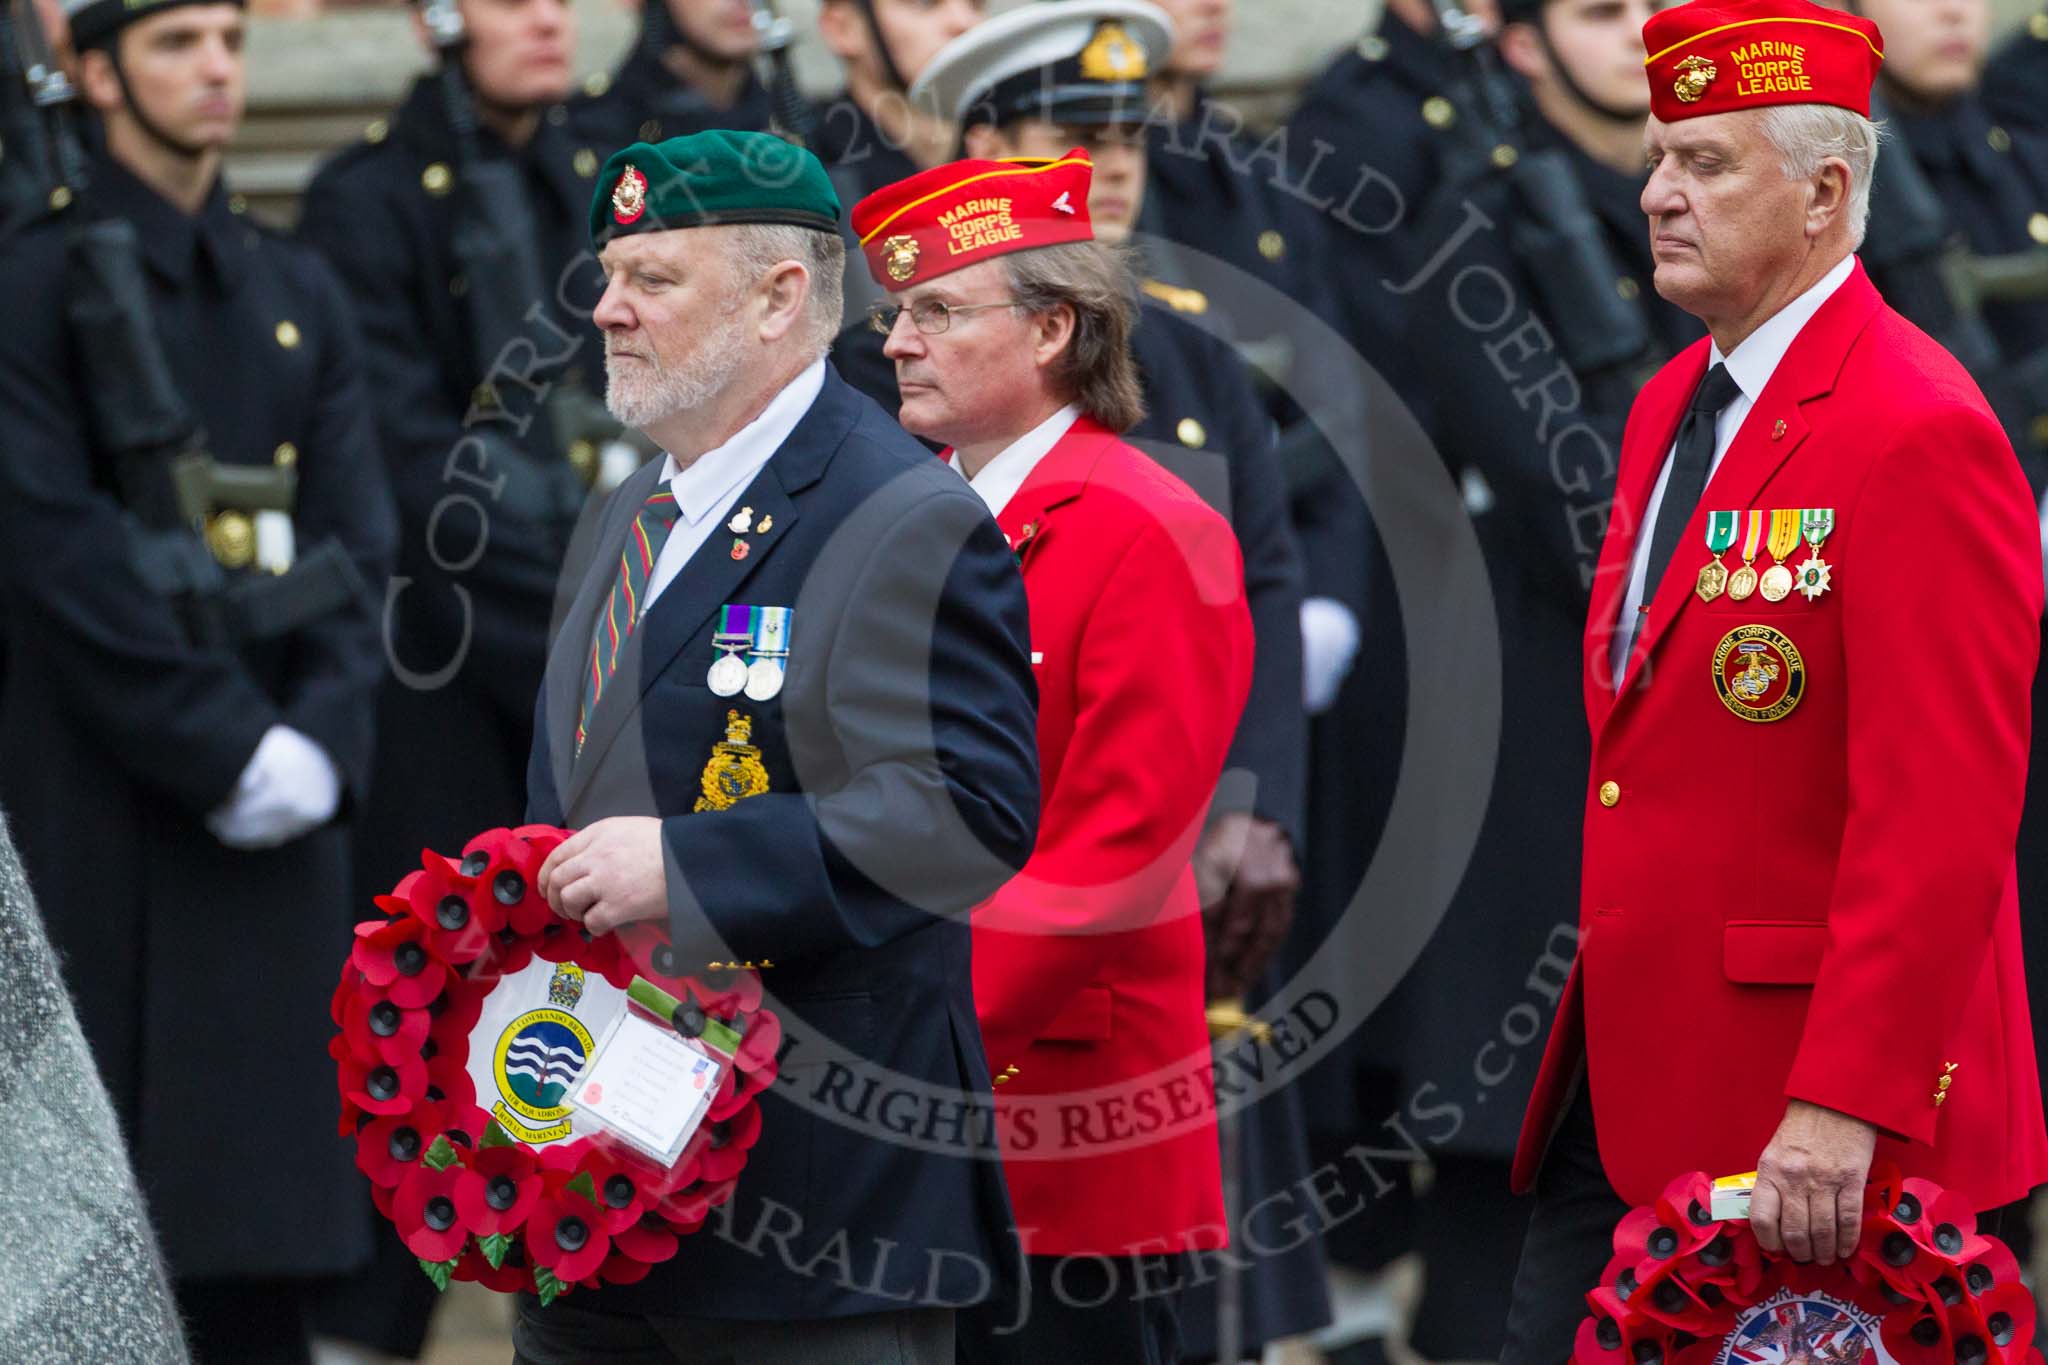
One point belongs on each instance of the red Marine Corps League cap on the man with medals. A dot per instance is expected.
(1709, 58)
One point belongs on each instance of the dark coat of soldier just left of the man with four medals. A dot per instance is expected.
(1541, 511)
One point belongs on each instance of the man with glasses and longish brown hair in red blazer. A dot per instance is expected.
(1011, 335)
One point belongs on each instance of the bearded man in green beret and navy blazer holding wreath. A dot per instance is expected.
(792, 713)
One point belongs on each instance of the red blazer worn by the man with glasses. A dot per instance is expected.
(1089, 965)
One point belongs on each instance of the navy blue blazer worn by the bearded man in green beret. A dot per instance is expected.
(904, 789)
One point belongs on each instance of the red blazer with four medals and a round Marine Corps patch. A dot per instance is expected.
(1816, 908)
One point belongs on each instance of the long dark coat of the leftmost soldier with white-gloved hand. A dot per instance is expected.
(202, 973)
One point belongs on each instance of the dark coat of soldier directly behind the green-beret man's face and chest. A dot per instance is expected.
(468, 637)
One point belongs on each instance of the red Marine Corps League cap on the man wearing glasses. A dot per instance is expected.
(966, 212)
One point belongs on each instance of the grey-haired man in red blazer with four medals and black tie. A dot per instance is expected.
(1809, 656)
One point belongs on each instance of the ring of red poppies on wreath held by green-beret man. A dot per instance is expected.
(466, 1196)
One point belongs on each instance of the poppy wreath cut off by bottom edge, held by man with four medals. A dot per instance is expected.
(1922, 1288)
